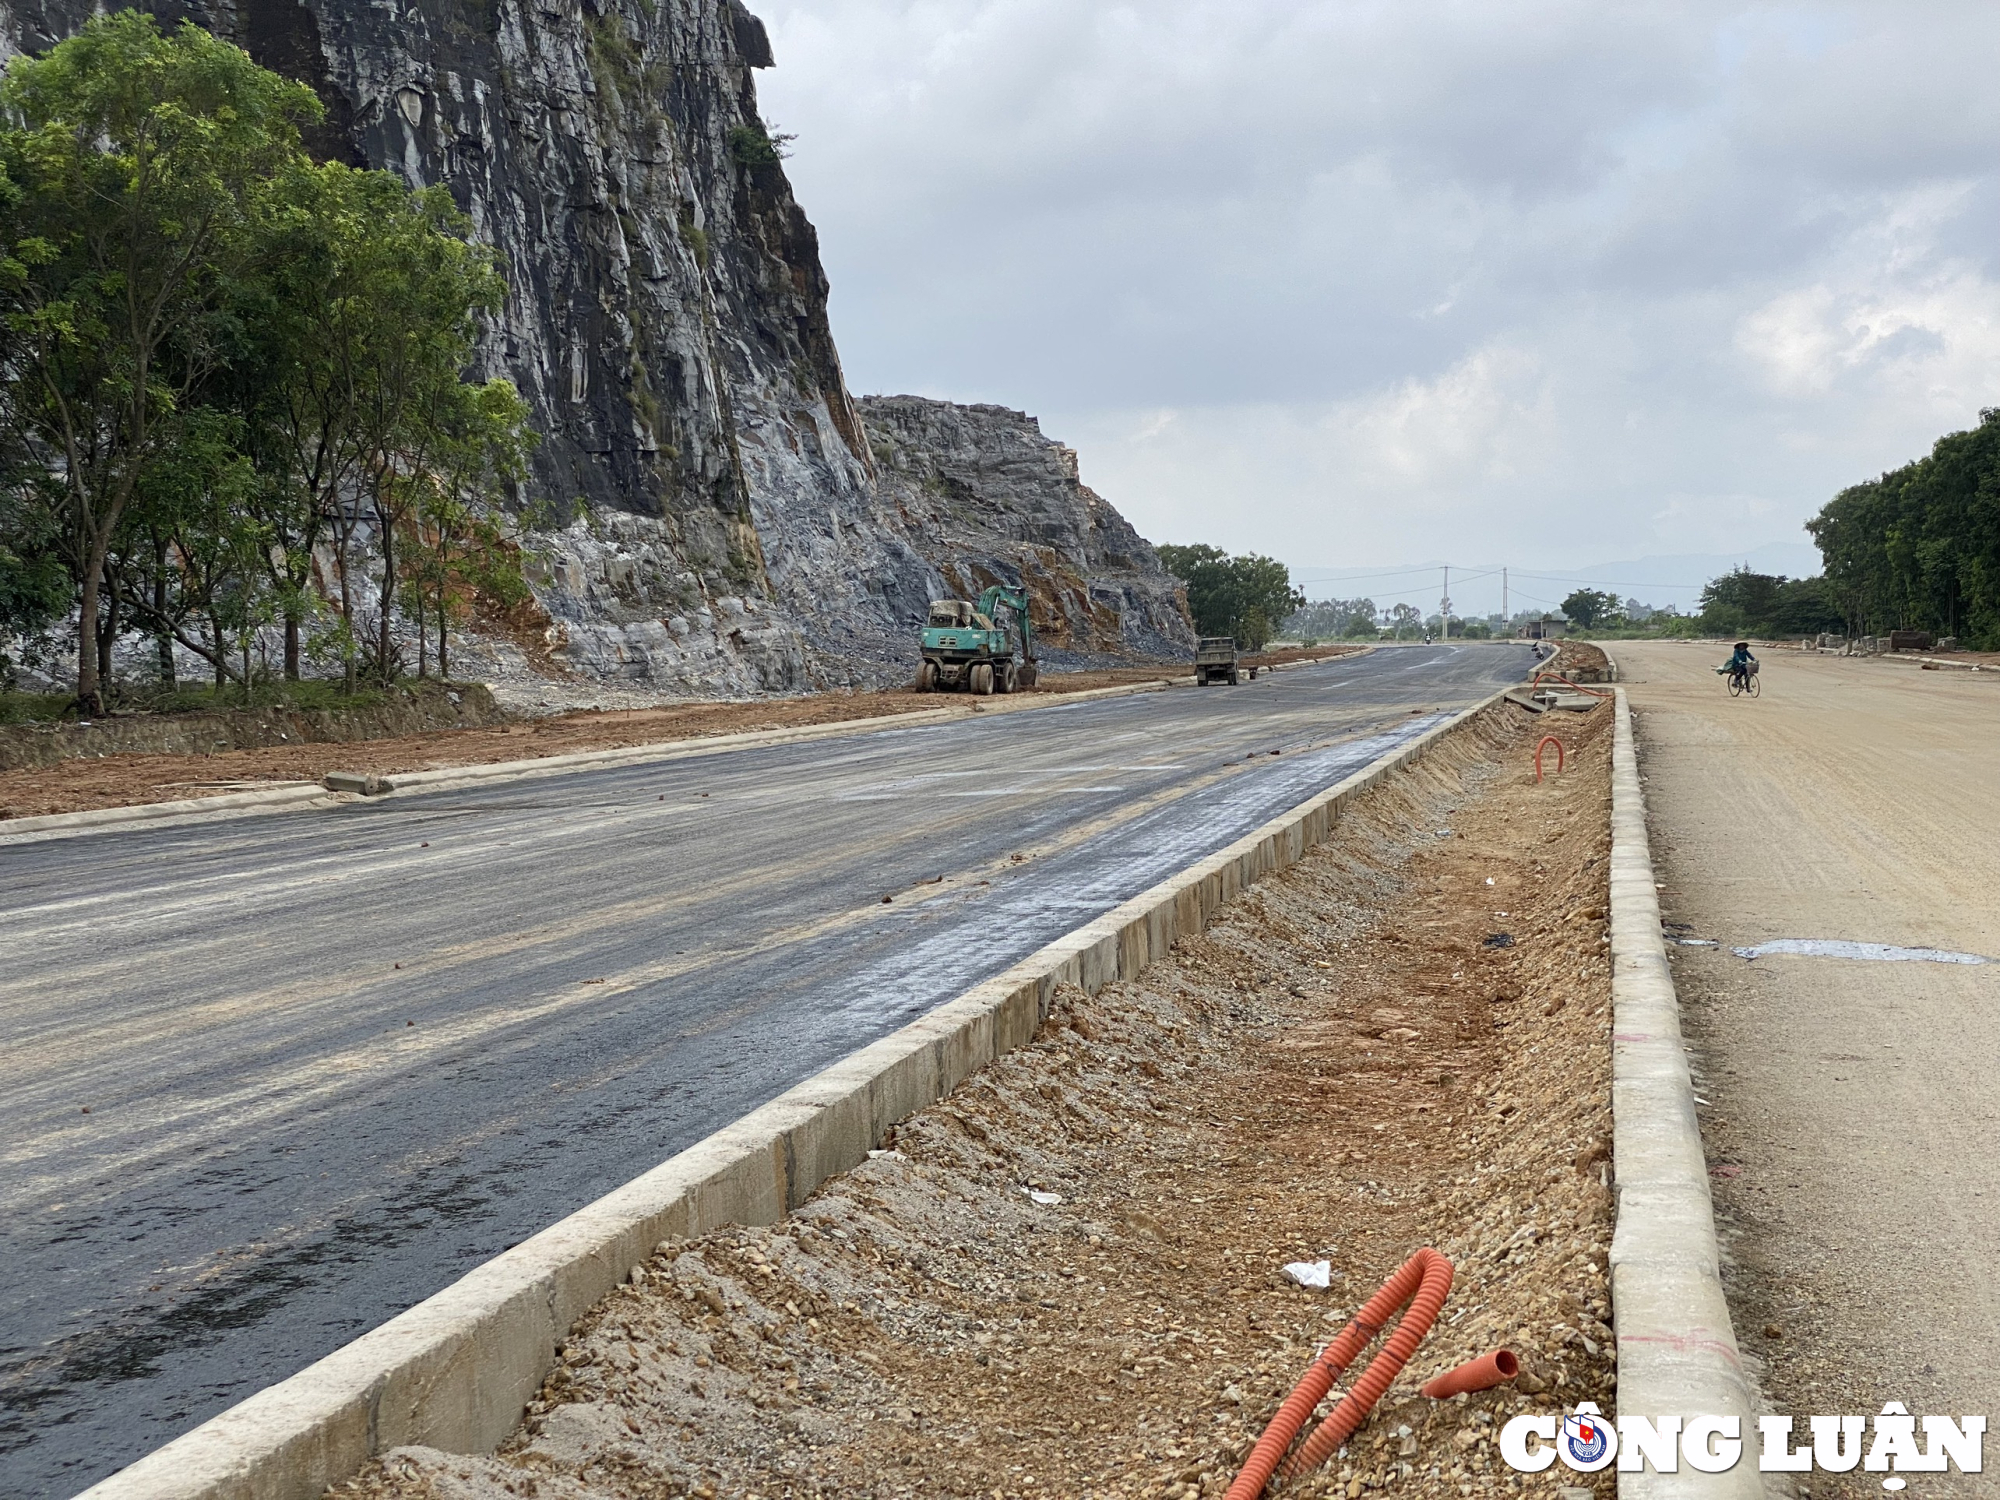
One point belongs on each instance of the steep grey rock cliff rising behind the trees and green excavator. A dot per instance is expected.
(733, 529)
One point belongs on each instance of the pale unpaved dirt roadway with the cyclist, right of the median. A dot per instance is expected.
(1853, 1105)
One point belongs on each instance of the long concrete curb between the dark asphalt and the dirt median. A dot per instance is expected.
(459, 1369)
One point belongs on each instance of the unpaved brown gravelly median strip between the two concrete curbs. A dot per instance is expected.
(1067, 1279)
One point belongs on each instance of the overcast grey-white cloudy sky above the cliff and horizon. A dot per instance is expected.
(1503, 281)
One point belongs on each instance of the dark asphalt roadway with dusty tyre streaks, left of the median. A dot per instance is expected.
(271, 1081)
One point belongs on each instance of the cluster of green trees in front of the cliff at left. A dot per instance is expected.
(233, 381)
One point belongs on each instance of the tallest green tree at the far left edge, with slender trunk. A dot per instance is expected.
(133, 167)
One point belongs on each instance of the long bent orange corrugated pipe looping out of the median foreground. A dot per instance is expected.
(1423, 1283)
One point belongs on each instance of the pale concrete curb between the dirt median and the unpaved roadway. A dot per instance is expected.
(1677, 1349)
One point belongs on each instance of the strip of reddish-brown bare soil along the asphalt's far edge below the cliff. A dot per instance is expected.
(115, 781)
